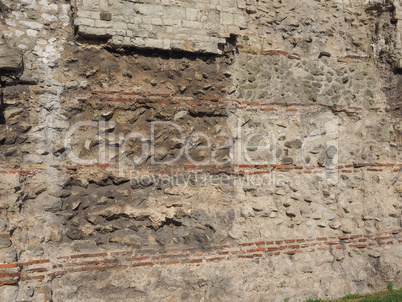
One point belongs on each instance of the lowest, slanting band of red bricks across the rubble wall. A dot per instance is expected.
(216, 253)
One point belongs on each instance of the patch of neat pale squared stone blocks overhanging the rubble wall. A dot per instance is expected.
(200, 26)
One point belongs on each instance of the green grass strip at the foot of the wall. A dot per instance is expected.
(389, 295)
